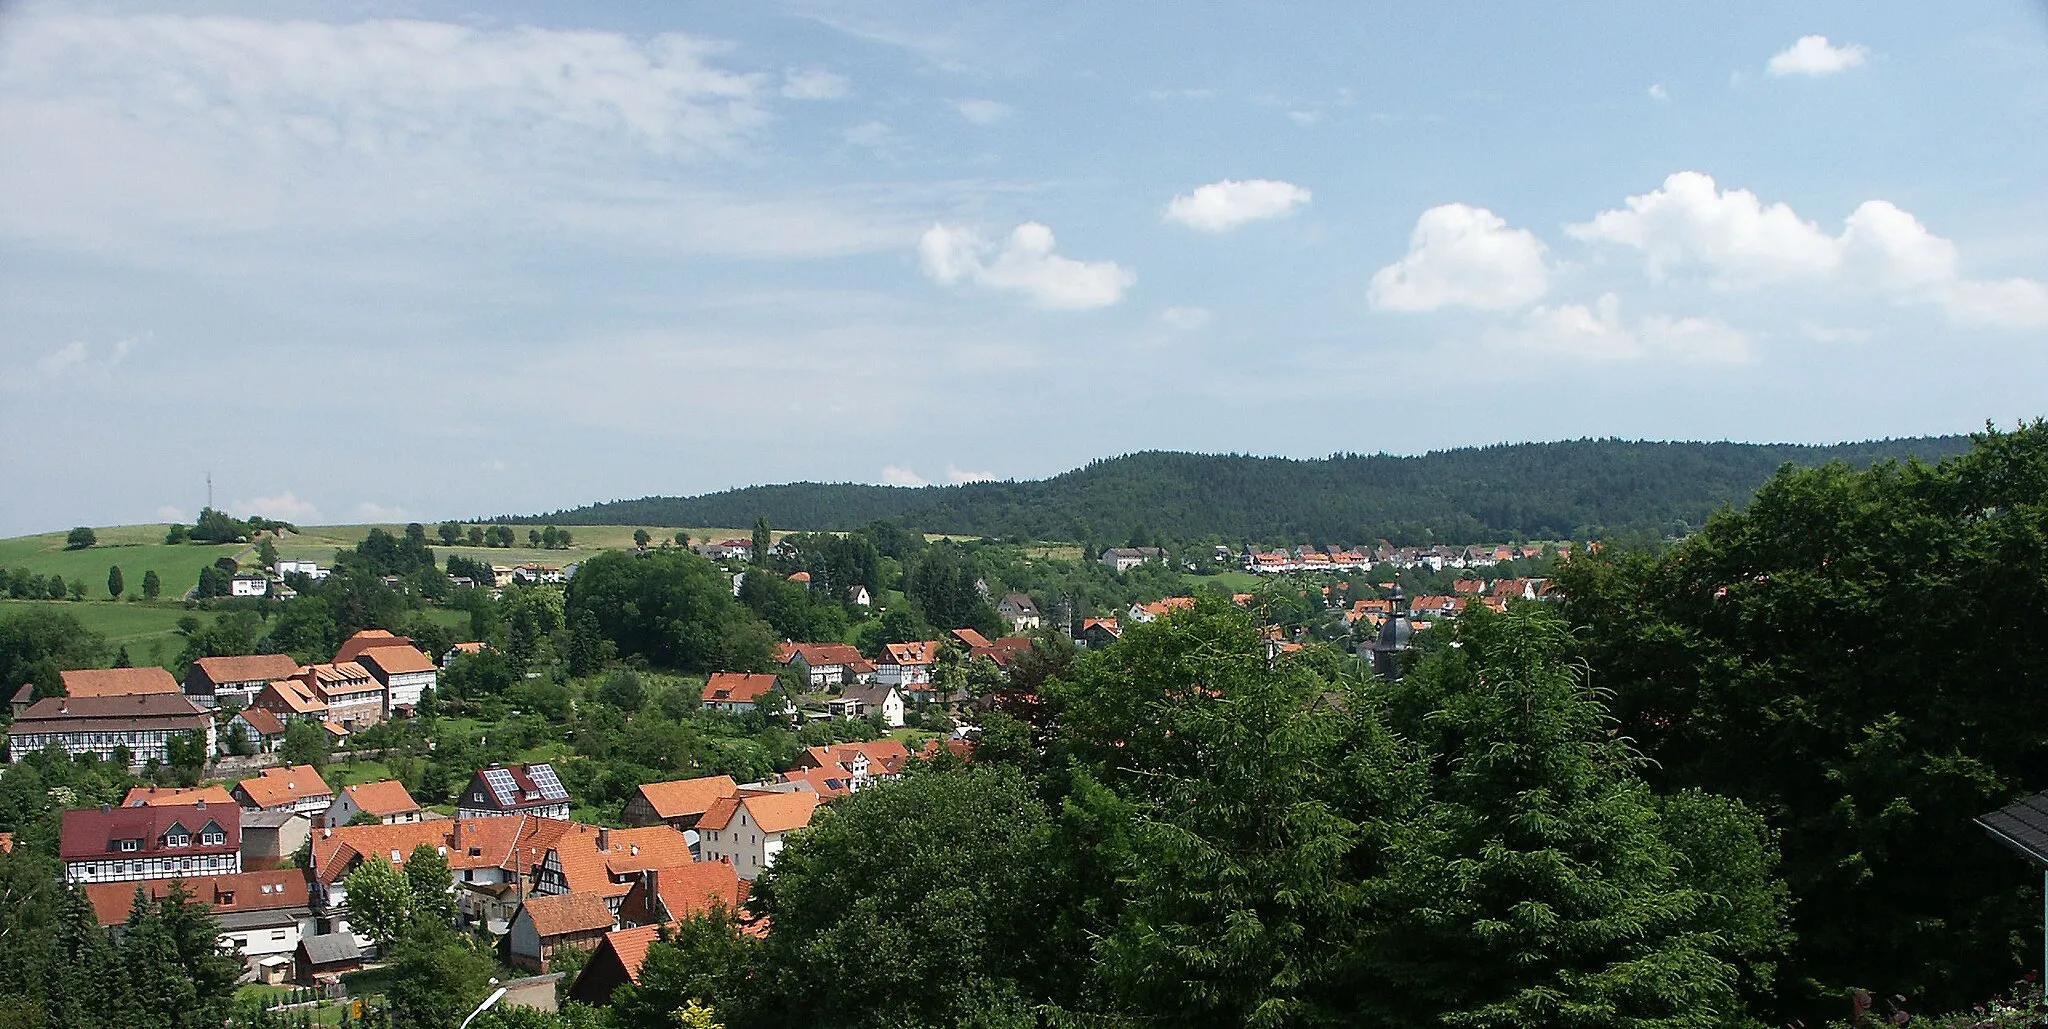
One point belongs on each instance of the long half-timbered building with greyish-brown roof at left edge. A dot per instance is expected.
(140, 727)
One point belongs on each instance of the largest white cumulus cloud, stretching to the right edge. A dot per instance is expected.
(1740, 243)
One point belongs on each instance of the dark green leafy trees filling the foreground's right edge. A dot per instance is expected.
(1861, 657)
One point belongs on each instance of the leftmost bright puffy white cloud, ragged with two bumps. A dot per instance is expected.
(1025, 263)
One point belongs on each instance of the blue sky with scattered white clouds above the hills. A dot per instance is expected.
(411, 261)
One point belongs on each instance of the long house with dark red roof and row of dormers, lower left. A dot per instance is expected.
(171, 841)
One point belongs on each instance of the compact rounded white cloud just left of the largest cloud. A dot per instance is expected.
(1463, 255)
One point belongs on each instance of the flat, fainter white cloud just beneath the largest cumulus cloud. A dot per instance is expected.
(1598, 333)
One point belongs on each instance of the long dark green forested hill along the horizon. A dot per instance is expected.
(1519, 491)
